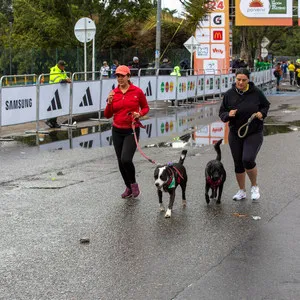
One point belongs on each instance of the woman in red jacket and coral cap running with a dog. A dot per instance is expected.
(125, 102)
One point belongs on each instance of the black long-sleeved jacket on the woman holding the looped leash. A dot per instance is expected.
(246, 103)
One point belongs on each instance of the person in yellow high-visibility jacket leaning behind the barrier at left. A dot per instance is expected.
(57, 75)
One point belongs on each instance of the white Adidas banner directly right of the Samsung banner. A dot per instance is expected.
(54, 101)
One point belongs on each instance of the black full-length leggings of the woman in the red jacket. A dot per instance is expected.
(125, 146)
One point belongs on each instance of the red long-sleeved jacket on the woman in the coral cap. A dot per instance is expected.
(134, 100)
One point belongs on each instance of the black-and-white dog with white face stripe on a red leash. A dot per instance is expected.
(168, 177)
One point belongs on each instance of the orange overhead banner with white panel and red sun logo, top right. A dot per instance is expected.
(264, 13)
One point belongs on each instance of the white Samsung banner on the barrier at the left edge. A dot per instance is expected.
(18, 105)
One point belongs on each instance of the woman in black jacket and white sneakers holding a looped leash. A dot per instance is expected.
(241, 102)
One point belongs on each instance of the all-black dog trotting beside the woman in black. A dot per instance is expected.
(215, 176)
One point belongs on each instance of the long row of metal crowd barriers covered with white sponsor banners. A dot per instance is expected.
(40, 100)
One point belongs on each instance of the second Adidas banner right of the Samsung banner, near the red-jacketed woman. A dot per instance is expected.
(86, 97)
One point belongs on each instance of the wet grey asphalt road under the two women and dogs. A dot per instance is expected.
(202, 252)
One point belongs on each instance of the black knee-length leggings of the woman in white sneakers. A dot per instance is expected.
(244, 150)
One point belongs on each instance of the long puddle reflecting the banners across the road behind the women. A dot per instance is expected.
(198, 125)
